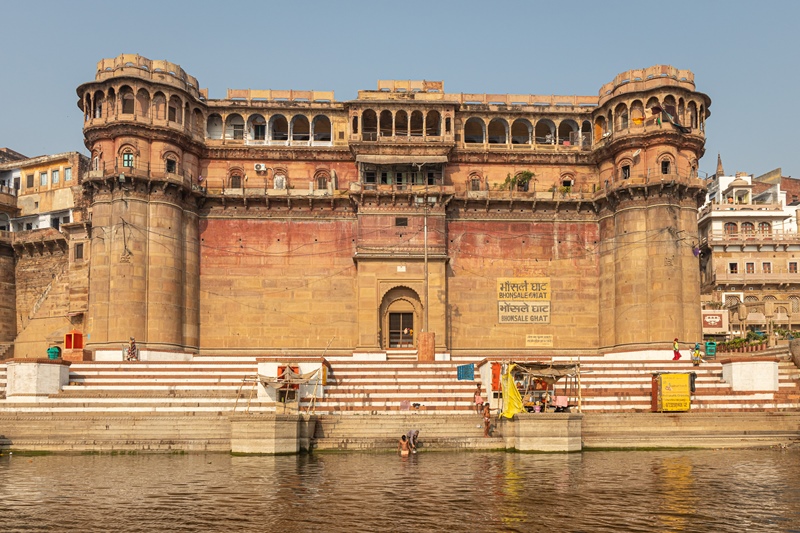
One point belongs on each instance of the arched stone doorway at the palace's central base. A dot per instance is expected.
(400, 318)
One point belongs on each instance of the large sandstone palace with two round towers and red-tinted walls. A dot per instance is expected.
(286, 222)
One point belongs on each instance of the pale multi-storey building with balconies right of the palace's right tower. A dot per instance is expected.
(750, 250)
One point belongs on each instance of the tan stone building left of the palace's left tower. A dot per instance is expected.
(40, 197)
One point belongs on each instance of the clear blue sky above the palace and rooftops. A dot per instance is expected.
(745, 56)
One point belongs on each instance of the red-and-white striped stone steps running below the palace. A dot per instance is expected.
(399, 386)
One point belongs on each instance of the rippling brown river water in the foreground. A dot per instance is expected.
(703, 491)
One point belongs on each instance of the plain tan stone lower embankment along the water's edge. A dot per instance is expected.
(202, 432)
